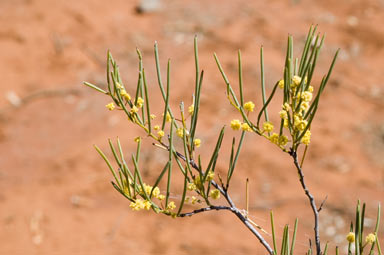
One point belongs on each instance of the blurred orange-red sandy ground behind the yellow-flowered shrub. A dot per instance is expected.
(55, 192)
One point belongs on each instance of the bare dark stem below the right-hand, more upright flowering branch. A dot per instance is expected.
(311, 201)
